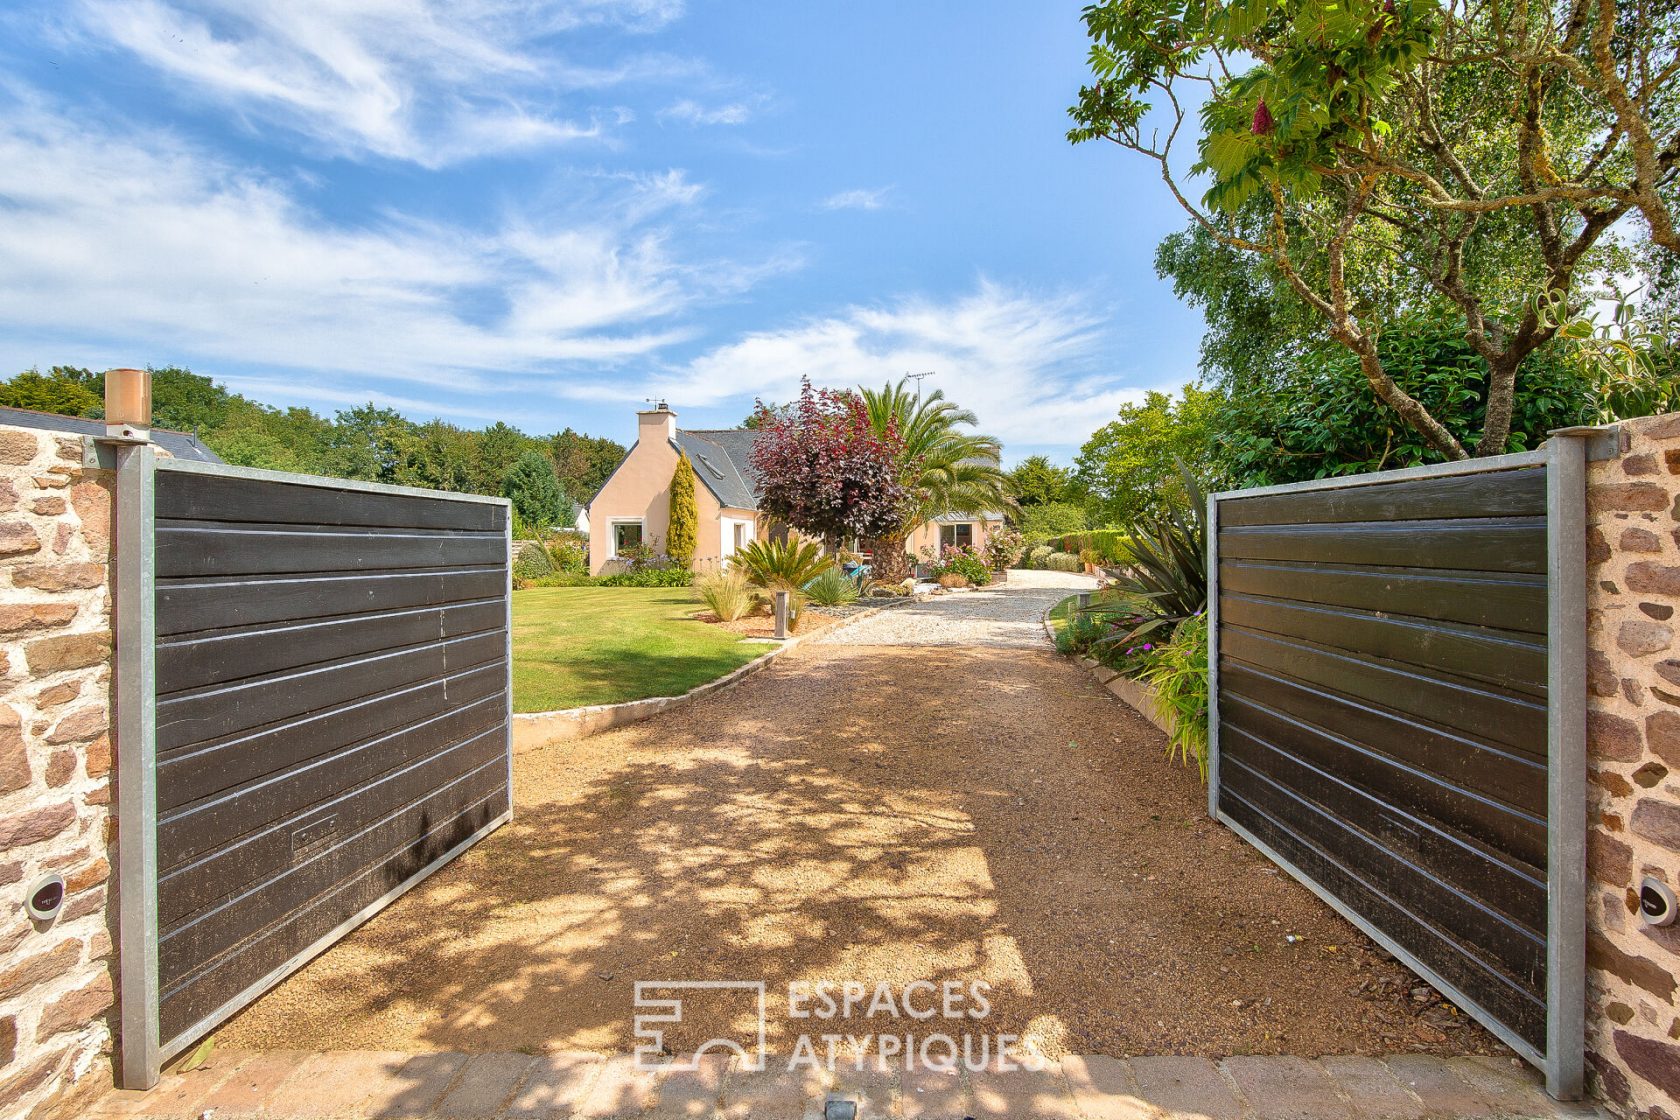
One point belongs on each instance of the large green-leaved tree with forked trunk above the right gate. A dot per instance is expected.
(1383, 155)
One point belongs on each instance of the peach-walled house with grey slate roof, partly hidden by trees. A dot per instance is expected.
(634, 506)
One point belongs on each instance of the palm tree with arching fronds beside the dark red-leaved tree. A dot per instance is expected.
(950, 471)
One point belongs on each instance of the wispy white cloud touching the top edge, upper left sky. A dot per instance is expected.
(426, 81)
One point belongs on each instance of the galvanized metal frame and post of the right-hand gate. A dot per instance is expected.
(1565, 459)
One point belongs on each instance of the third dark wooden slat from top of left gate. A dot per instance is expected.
(194, 605)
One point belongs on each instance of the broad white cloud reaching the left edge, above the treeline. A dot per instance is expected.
(132, 239)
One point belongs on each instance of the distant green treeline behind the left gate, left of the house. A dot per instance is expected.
(367, 442)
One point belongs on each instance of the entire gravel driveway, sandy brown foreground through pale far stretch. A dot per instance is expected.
(930, 795)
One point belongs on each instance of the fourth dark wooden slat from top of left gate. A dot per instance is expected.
(226, 656)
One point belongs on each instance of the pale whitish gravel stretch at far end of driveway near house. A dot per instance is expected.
(1005, 615)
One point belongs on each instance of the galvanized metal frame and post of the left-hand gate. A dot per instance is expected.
(137, 775)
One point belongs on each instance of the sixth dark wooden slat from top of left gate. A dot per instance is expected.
(206, 772)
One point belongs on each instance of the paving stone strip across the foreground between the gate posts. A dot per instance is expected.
(357, 1086)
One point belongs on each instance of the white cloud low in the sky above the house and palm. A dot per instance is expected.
(1022, 362)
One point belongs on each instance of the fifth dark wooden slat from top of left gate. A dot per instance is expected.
(216, 713)
